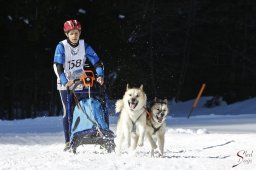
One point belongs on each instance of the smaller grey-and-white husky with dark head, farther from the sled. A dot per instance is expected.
(155, 130)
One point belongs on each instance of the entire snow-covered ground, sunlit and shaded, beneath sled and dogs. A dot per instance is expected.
(216, 138)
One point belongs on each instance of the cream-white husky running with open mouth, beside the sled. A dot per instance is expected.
(131, 124)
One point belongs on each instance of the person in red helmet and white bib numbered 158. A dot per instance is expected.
(69, 59)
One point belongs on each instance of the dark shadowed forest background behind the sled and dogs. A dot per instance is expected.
(171, 47)
